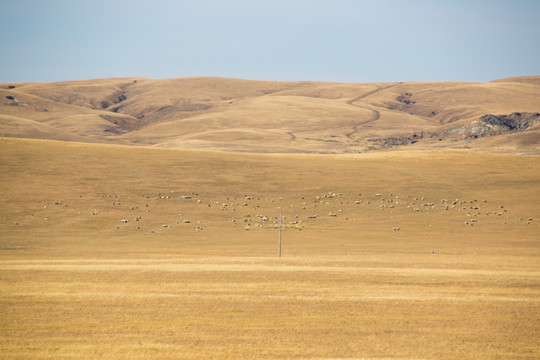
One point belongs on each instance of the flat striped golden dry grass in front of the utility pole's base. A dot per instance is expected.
(238, 307)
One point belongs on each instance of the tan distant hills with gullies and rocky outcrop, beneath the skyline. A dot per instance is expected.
(278, 117)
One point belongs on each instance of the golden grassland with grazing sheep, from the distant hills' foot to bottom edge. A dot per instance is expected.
(129, 253)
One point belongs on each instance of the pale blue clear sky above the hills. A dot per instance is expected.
(352, 41)
